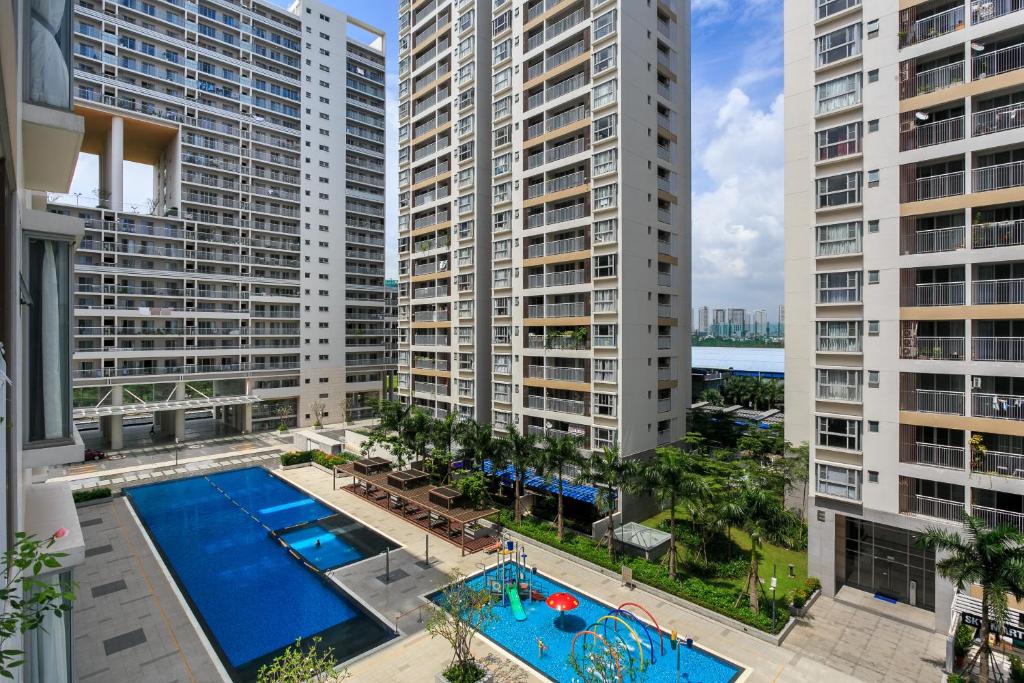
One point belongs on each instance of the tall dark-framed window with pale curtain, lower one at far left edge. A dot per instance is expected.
(48, 394)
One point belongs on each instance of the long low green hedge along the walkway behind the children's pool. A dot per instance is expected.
(695, 590)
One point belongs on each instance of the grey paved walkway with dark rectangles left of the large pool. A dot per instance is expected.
(130, 625)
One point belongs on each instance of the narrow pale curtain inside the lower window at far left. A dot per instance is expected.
(51, 346)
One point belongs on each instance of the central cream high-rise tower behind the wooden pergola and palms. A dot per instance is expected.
(546, 216)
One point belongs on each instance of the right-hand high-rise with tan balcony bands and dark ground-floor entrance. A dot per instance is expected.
(905, 229)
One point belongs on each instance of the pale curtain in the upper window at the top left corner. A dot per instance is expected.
(49, 80)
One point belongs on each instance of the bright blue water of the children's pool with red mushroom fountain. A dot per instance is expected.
(521, 638)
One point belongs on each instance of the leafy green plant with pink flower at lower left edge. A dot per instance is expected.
(27, 600)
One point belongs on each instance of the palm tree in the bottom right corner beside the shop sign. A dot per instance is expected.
(994, 559)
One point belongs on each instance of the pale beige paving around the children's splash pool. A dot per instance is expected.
(836, 644)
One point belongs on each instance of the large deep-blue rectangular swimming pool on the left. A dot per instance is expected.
(252, 597)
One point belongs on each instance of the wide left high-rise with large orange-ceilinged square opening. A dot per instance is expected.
(252, 283)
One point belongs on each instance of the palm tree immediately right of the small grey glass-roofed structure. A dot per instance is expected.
(671, 477)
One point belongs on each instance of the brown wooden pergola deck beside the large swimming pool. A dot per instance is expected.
(420, 504)
